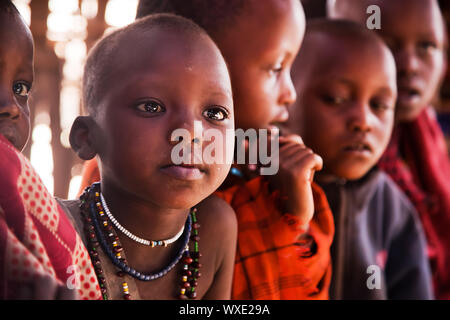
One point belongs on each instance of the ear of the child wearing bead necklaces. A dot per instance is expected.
(81, 137)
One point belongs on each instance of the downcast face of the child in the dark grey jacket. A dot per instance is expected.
(345, 109)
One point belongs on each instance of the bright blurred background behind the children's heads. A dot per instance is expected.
(64, 31)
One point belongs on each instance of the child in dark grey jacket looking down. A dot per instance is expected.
(345, 81)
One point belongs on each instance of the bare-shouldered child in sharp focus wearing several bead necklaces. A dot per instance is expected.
(141, 83)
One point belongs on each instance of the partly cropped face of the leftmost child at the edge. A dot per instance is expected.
(16, 78)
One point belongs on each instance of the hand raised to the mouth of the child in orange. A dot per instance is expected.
(297, 165)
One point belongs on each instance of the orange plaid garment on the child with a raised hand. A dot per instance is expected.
(275, 258)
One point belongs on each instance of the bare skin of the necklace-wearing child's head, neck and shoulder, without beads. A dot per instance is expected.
(150, 94)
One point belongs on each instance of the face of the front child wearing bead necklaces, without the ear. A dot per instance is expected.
(162, 84)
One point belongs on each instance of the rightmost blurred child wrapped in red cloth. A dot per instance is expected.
(416, 158)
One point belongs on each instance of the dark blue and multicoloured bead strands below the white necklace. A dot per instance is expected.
(100, 233)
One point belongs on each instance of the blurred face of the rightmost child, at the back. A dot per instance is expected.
(415, 32)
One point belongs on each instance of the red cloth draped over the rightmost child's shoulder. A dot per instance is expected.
(417, 160)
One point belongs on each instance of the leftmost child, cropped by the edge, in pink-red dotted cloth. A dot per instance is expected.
(41, 254)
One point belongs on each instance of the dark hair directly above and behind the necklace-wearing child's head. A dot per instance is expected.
(213, 16)
